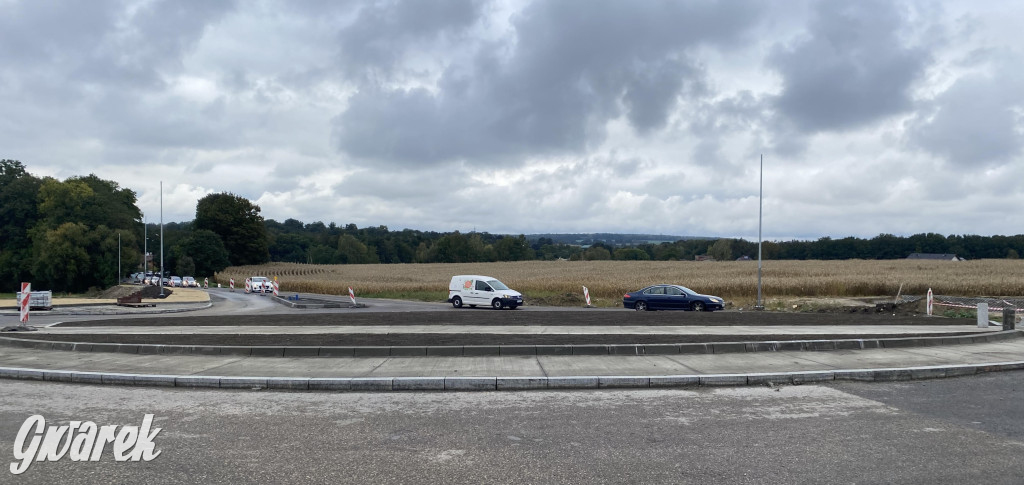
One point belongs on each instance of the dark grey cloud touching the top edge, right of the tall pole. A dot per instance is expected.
(854, 69)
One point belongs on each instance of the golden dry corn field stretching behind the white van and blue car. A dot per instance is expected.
(735, 281)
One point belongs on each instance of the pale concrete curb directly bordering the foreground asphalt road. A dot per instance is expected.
(462, 384)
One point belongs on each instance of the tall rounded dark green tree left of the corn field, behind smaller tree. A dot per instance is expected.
(239, 225)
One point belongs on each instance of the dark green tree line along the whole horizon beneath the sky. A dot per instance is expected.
(71, 236)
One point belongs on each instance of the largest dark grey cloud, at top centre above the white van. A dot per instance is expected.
(573, 67)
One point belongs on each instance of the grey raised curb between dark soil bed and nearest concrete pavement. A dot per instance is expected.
(497, 350)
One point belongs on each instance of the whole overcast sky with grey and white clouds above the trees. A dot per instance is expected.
(523, 117)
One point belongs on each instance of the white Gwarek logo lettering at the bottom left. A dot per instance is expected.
(82, 443)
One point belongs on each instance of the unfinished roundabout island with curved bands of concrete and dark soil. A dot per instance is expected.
(251, 342)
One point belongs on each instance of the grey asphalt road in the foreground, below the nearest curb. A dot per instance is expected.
(923, 432)
